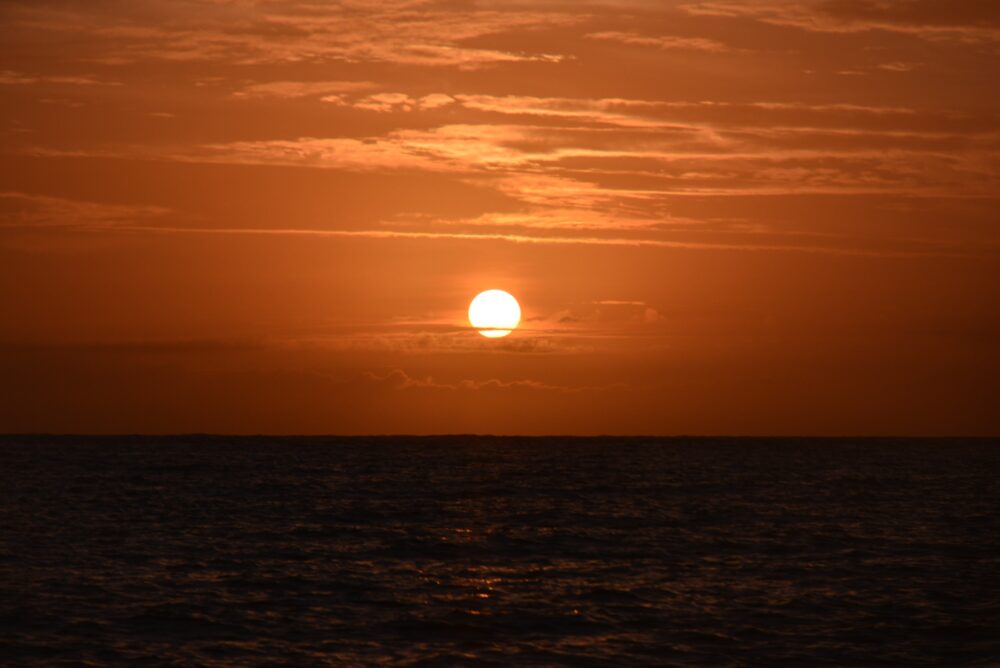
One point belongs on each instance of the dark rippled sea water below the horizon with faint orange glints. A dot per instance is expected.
(499, 552)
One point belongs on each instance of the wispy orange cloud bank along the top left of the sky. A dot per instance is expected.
(414, 34)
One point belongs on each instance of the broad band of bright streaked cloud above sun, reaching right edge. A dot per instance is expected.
(625, 158)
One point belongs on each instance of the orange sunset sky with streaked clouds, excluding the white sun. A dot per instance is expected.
(719, 217)
